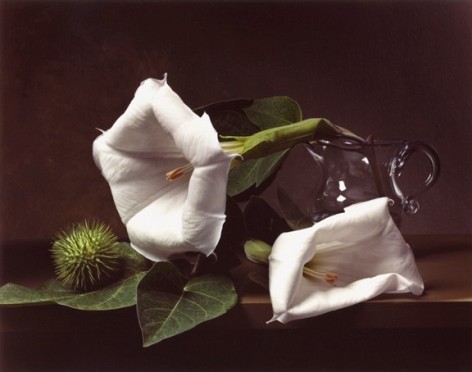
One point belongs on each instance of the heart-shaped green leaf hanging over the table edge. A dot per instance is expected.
(169, 305)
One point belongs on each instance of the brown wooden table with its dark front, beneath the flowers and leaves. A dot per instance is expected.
(390, 332)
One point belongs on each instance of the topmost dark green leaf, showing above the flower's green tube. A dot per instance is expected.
(274, 112)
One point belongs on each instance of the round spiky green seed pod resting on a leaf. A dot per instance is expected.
(87, 256)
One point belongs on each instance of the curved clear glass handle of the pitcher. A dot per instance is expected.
(409, 204)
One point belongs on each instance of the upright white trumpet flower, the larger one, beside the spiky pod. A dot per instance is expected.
(165, 215)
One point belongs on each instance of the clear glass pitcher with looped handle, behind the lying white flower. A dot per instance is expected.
(349, 171)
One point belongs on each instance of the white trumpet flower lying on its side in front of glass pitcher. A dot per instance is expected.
(343, 260)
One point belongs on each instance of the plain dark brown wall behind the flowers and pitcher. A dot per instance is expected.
(396, 69)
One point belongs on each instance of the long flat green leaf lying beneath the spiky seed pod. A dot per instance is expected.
(117, 295)
